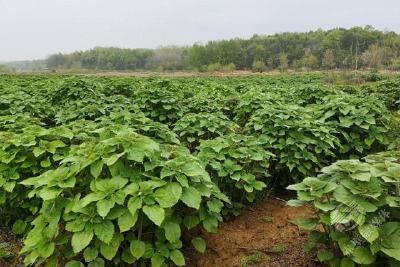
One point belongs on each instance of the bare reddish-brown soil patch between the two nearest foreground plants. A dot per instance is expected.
(257, 230)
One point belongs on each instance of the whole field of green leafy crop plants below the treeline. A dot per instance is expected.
(147, 171)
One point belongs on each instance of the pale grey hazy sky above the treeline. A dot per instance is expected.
(31, 29)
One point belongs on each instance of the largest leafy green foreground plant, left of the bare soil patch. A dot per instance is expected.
(118, 197)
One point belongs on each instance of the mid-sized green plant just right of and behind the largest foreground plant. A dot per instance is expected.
(238, 165)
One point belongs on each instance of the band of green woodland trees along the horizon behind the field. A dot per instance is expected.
(355, 48)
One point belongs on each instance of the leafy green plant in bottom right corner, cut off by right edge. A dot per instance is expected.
(357, 206)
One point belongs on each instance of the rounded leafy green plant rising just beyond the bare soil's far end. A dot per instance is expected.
(302, 145)
